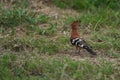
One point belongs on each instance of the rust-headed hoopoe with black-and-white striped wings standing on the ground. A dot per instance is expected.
(77, 41)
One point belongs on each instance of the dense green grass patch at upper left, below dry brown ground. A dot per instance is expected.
(13, 18)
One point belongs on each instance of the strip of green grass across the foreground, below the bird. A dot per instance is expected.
(47, 68)
